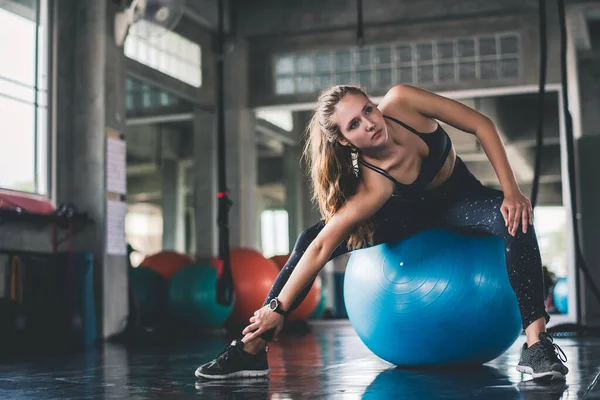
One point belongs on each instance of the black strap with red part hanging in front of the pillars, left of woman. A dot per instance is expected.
(224, 282)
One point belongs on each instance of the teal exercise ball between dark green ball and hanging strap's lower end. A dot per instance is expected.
(193, 297)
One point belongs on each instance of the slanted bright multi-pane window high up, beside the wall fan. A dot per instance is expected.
(165, 51)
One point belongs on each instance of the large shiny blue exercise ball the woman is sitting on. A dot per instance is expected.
(436, 298)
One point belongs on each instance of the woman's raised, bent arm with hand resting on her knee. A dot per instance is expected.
(517, 208)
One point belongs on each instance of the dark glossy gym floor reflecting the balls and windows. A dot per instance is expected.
(330, 362)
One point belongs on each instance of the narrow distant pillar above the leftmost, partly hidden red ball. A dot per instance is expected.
(173, 203)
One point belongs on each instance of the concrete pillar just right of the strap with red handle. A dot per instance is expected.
(242, 161)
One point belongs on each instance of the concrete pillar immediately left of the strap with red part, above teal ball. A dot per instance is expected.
(205, 185)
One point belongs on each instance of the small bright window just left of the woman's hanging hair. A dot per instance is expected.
(274, 232)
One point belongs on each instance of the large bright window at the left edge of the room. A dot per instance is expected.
(24, 96)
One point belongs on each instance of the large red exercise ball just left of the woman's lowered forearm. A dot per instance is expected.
(253, 275)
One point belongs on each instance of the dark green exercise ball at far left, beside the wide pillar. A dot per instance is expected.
(149, 290)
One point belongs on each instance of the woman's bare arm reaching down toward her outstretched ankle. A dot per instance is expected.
(358, 208)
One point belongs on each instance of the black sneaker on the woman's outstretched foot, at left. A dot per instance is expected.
(234, 362)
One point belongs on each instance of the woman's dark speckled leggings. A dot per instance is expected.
(462, 204)
